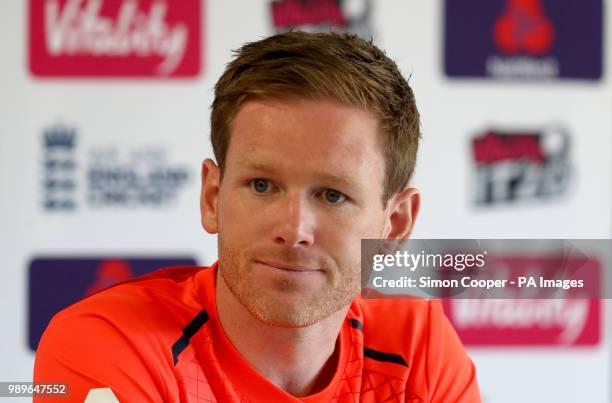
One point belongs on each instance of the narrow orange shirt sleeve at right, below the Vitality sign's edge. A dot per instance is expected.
(451, 373)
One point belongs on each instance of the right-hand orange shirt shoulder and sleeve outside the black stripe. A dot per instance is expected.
(418, 331)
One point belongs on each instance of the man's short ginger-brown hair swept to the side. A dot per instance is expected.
(338, 66)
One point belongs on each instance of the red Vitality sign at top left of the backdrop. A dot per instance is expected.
(115, 38)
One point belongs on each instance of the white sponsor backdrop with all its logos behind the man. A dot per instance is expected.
(105, 105)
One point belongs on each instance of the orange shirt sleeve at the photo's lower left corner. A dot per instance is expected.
(87, 351)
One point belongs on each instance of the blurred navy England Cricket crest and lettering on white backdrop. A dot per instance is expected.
(106, 175)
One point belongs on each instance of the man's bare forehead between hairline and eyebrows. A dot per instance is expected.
(323, 134)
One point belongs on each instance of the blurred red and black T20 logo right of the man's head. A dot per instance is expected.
(514, 166)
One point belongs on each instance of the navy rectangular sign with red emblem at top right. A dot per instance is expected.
(524, 39)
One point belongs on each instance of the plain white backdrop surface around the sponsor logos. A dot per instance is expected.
(172, 114)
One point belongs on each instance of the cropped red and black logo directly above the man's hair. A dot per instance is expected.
(323, 15)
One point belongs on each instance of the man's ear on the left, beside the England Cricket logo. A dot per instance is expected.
(209, 196)
